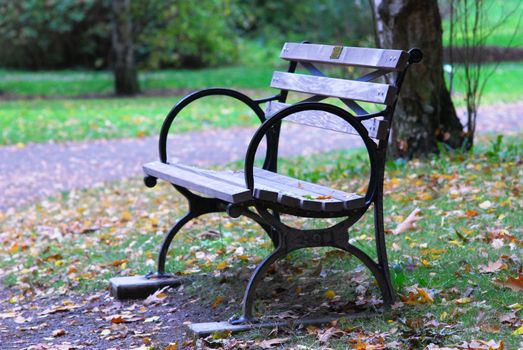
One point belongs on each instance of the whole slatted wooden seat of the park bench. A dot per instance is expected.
(230, 186)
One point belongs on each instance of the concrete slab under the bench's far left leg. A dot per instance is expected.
(140, 287)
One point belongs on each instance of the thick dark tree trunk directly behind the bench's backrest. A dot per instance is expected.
(425, 114)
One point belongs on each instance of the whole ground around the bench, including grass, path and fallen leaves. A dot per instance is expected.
(75, 213)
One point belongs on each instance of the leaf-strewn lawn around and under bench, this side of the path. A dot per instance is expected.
(449, 270)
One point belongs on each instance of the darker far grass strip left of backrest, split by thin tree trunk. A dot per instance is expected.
(73, 83)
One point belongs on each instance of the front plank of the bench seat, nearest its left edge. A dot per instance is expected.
(198, 182)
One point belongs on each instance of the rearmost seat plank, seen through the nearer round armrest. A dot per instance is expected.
(350, 200)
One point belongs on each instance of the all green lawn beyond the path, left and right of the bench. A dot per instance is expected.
(42, 120)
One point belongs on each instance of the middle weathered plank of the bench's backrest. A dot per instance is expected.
(349, 89)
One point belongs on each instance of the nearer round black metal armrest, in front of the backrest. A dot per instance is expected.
(307, 106)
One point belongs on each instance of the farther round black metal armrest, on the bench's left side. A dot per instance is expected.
(254, 105)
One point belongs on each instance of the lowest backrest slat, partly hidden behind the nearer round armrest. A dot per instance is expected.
(377, 128)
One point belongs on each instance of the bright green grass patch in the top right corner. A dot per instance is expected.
(497, 14)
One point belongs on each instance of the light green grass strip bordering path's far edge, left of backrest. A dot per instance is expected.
(26, 121)
